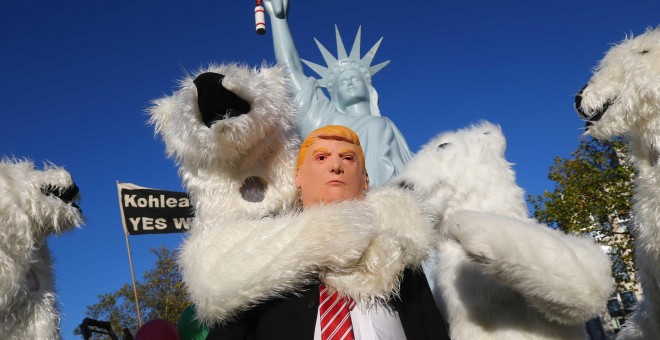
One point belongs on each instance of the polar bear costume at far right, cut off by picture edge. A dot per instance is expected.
(623, 99)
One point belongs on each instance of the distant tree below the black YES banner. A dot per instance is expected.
(161, 296)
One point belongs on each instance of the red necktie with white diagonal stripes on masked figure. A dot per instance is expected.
(335, 315)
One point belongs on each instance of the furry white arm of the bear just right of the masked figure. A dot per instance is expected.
(567, 278)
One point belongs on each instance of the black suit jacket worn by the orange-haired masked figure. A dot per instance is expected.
(294, 316)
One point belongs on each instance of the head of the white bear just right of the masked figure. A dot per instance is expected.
(484, 181)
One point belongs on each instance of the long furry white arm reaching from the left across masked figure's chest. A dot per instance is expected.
(230, 266)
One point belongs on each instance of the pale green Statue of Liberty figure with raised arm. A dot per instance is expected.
(353, 100)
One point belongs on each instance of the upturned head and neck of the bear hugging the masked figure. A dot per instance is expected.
(240, 161)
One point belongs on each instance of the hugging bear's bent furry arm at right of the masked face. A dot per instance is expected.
(404, 239)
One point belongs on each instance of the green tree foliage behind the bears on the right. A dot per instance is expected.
(592, 196)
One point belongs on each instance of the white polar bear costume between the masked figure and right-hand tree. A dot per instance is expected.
(500, 274)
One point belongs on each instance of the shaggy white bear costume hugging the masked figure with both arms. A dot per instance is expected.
(241, 252)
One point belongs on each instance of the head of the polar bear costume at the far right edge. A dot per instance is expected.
(623, 96)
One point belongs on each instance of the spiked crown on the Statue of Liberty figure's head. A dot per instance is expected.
(346, 61)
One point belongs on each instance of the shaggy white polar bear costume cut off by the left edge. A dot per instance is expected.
(30, 211)
